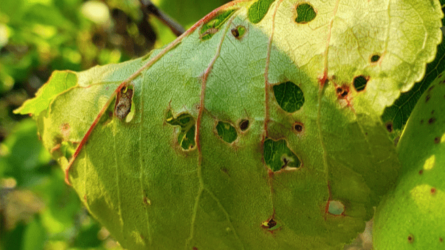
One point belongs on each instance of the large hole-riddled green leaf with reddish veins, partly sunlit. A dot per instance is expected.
(310, 159)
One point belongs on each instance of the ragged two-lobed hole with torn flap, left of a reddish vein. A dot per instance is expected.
(186, 136)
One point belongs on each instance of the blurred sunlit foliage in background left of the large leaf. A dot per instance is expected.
(37, 209)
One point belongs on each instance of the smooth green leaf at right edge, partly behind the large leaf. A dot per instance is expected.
(411, 216)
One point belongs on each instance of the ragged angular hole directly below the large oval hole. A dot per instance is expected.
(277, 155)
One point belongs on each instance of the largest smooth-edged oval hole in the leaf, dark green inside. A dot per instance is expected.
(289, 96)
